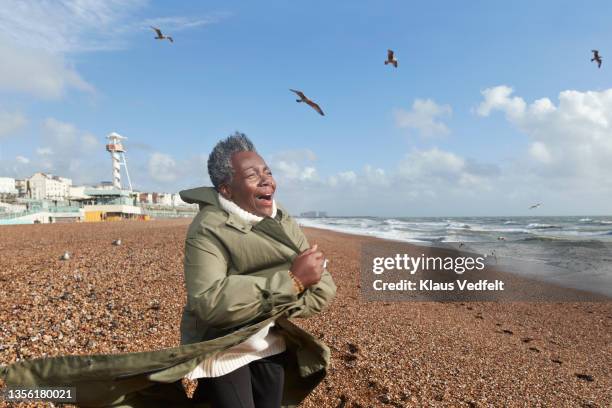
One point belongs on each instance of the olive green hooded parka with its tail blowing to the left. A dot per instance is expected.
(237, 282)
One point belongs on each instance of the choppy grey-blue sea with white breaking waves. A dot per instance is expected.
(571, 251)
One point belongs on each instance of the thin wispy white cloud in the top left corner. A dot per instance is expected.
(37, 37)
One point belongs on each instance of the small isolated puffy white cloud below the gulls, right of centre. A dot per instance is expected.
(424, 117)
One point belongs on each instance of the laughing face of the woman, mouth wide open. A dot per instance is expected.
(252, 186)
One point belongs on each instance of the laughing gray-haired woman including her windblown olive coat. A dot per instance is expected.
(248, 269)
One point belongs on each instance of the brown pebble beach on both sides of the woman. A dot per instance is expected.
(109, 299)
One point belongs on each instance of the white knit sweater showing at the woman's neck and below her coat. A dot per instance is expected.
(262, 344)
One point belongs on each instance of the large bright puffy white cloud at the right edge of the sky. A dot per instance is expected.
(572, 140)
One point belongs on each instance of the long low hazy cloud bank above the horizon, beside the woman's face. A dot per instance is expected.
(425, 181)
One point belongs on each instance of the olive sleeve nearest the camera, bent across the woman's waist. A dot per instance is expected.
(225, 301)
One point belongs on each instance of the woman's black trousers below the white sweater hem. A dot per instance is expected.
(256, 385)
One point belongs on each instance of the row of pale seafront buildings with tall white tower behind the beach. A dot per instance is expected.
(47, 198)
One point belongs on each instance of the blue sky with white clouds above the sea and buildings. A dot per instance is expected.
(494, 106)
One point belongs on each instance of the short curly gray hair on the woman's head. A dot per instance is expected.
(220, 160)
